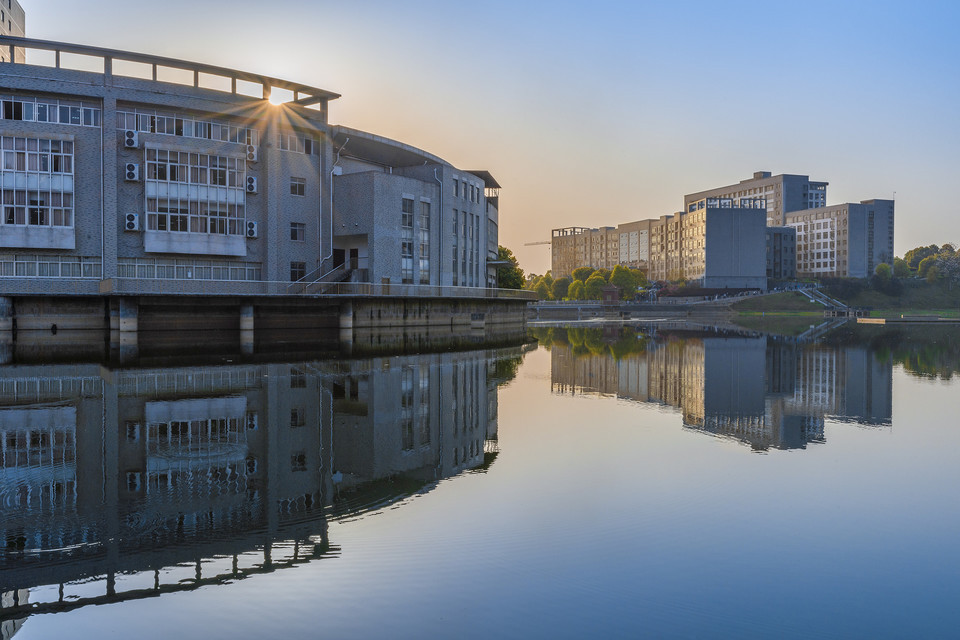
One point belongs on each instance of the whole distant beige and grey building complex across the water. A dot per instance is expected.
(764, 228)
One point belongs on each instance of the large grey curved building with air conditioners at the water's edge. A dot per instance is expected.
(110, 181)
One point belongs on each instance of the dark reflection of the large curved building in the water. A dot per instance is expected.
(129, 483)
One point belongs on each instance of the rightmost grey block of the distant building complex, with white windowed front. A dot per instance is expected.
(844, 240)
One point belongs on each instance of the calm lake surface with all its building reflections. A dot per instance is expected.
(606, 482)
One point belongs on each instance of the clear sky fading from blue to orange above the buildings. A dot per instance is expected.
(597, 113)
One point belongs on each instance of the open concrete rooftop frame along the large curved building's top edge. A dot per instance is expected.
(204, 76)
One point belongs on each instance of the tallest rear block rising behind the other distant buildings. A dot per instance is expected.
(782, 193)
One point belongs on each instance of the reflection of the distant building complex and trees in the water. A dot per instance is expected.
(765, 391)
